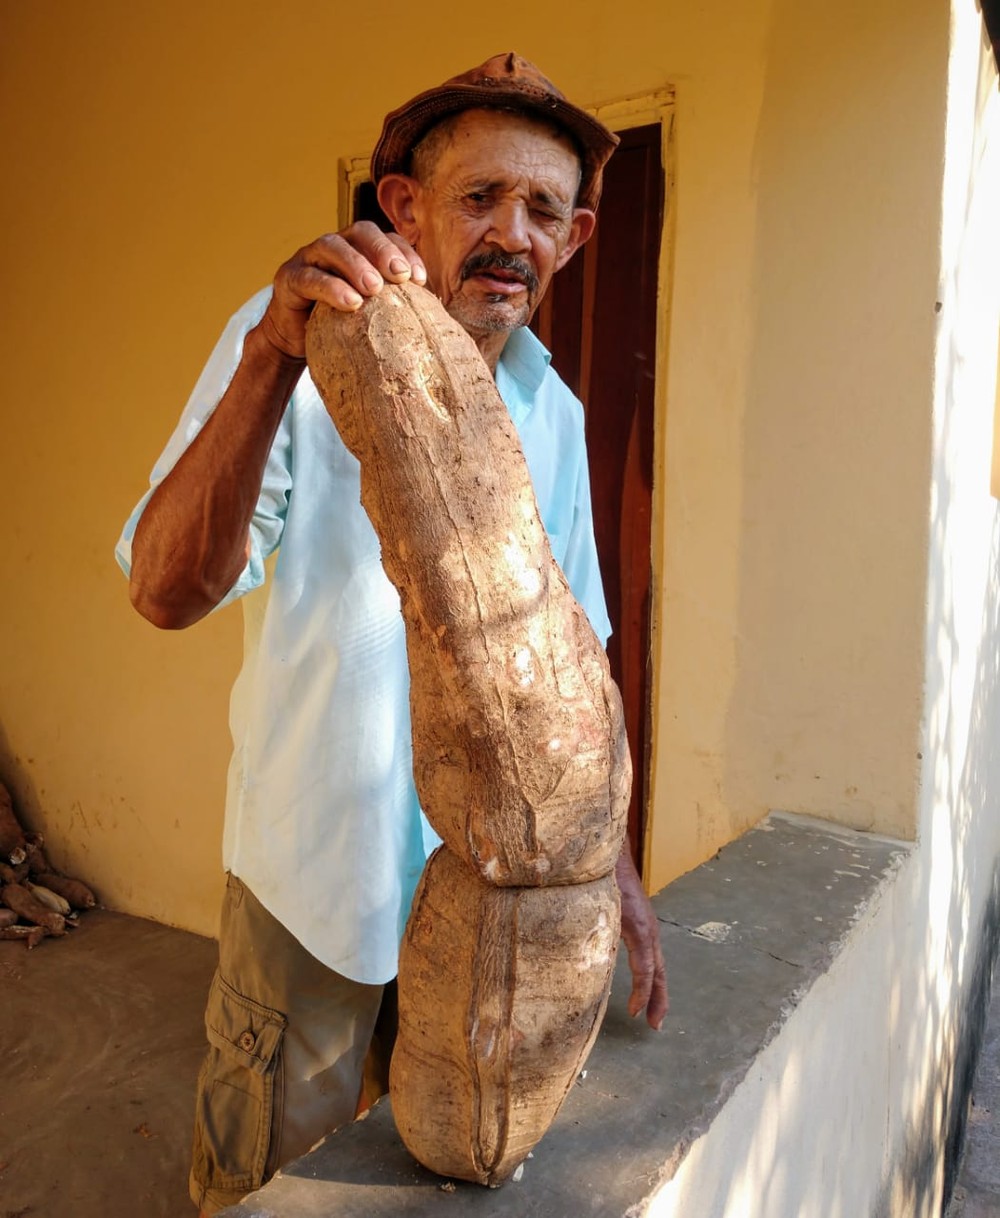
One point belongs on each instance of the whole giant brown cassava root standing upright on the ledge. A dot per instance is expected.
(519, 748)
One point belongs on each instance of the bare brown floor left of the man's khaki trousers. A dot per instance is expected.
(102, 1038)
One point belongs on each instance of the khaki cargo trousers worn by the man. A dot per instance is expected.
(289, 1054)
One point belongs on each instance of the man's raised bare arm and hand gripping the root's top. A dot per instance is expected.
(192, 541)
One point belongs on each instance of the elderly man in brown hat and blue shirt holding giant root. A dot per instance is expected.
(491, 182)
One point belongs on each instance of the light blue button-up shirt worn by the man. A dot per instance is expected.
(322, 817)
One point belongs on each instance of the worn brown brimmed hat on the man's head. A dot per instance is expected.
(505, 82)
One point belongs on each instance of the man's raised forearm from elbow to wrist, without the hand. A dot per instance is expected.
(192, 540)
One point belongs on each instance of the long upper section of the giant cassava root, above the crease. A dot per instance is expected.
(519, 750)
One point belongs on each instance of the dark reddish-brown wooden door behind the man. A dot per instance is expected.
(600, 322)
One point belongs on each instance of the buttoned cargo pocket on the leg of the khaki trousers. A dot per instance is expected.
(237, 1092)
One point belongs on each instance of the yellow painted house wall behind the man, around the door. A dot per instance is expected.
(164, 159)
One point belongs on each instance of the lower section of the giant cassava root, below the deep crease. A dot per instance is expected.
(502, 992)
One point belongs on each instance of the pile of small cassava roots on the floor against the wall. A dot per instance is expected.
(36, 901)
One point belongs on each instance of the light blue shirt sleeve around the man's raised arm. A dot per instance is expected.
(269, 518)
